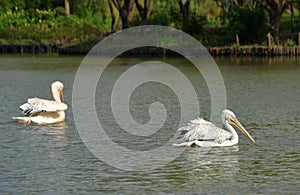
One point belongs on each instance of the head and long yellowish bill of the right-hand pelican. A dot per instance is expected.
(229, 117)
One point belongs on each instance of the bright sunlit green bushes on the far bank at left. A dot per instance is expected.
(39, 26)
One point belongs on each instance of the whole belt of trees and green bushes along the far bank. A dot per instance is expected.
(212, 22)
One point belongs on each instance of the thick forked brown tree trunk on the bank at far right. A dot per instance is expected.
(275, 9)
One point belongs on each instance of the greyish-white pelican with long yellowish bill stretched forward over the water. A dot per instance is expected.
(205, 134)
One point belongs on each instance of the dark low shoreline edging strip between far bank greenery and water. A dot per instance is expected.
(267, 51)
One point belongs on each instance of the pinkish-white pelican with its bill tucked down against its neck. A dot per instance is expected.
(42, 111)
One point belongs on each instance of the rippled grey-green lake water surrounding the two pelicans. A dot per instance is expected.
(264, 93)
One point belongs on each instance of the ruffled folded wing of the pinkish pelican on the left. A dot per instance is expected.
(36, 105)
